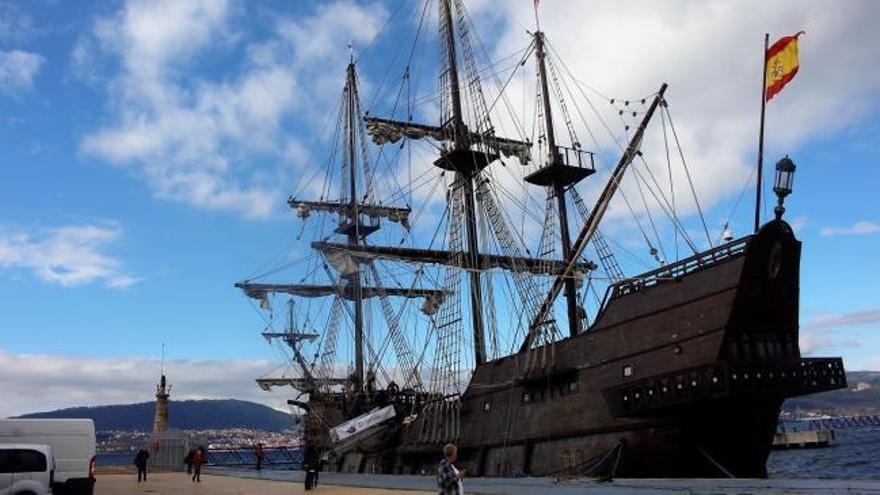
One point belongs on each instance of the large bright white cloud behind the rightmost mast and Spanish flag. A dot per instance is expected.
(710, 53)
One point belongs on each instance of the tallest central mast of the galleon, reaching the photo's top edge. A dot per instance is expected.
(465, 178)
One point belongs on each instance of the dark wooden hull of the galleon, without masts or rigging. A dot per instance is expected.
(682, 374)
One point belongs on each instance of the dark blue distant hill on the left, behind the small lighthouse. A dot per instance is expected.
(184, 415)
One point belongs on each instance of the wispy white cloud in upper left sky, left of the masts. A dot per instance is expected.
(203, 140)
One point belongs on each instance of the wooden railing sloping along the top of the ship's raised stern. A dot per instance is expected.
(680, 268)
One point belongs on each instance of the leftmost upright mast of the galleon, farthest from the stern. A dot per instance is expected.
(354, 231)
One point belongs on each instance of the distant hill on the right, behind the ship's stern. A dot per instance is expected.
(862, 396)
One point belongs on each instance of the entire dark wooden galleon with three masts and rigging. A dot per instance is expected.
(458, 288)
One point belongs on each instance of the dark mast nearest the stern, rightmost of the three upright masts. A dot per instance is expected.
(558, 186)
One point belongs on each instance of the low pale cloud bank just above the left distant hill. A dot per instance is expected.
(40, 382)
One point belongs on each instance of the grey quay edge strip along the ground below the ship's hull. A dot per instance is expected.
(332, 482)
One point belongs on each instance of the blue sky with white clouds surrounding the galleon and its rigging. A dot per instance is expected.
(147, 148)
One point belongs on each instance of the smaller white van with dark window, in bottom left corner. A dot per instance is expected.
(26, 469)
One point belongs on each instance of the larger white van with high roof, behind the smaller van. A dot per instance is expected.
(73, 445)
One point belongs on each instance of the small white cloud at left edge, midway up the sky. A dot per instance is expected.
(69, 256)
